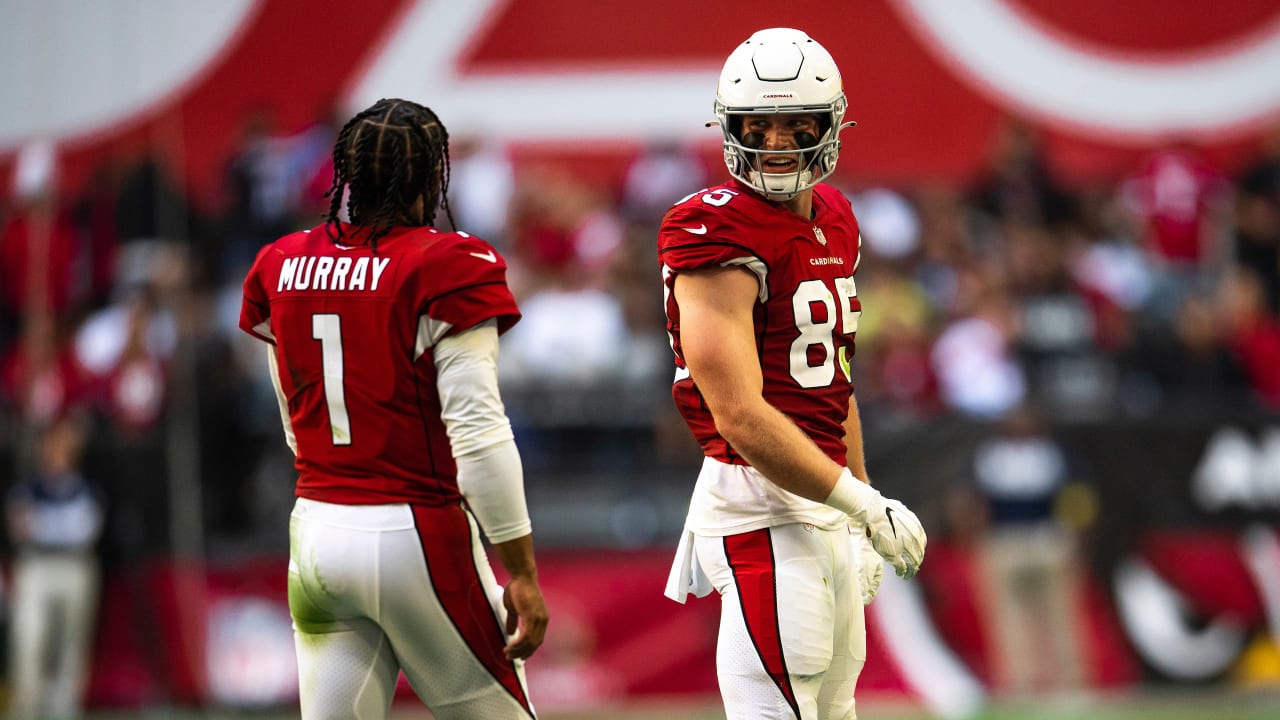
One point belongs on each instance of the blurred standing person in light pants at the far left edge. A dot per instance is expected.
(54, 518)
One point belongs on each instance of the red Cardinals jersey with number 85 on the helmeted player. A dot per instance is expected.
(807, 313)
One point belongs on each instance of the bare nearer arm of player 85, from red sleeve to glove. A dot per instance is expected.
(719, 343)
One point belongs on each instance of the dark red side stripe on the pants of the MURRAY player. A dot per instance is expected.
(446, 537)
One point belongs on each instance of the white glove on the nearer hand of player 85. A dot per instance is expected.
(895, 532)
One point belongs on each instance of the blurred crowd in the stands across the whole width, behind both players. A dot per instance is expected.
(1149, 295)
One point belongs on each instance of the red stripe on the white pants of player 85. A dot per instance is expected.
(751, 557)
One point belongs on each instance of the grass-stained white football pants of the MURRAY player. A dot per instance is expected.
(383, 589)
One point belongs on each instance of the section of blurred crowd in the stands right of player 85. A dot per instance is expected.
(1156, 294)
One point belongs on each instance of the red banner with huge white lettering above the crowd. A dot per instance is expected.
(929, 83)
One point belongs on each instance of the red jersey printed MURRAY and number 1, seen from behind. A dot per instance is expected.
(354, 334)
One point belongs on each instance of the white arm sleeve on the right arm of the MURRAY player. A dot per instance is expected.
(491, 475)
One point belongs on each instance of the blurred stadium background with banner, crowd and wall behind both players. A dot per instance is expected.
(1014, 243)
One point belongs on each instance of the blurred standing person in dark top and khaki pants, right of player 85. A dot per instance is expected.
(1030, 560)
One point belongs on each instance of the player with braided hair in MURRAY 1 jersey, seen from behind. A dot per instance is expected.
(383, 340)
